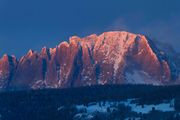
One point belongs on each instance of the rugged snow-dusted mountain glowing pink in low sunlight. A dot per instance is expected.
(111, 58)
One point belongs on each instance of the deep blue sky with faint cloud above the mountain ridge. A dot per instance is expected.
(33, 24)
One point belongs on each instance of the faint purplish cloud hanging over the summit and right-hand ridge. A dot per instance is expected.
(166, 31)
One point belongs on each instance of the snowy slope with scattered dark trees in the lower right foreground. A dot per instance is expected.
(127, 109)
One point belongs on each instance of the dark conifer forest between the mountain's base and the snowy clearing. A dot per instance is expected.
(44, 104)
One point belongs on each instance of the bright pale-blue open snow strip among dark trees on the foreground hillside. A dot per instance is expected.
(102, 107)
